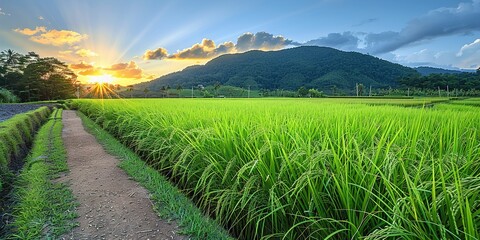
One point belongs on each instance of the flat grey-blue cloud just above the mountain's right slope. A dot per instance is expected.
(345, 40)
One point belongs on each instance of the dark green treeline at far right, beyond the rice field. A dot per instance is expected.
(461, 81)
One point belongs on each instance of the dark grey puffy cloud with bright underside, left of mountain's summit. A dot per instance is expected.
(261, 40)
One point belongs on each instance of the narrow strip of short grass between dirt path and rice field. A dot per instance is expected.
(170, 203)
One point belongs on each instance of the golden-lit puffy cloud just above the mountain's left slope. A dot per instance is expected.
(206, 49)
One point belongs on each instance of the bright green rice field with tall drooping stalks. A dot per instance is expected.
(312, 168)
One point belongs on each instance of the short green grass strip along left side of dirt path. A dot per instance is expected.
(43, 208)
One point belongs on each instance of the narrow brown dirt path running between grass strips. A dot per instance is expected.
(111, 205)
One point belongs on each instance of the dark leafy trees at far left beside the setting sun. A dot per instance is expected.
(33, 78)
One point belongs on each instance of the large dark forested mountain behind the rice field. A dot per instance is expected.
(312, 67)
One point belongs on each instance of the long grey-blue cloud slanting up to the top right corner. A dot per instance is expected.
(440, 22)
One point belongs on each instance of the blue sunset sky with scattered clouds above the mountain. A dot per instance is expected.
(135, 41)
